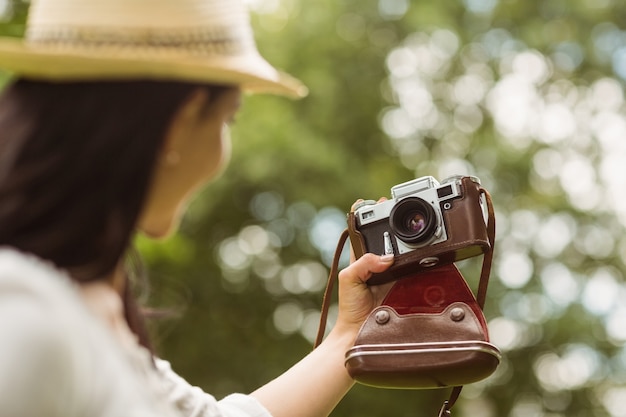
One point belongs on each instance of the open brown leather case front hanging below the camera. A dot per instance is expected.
(429, 332)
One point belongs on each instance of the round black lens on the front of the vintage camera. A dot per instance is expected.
(413, 220)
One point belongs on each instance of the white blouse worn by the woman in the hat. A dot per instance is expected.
(60, 356)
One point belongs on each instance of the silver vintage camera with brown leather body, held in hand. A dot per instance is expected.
(424, 225)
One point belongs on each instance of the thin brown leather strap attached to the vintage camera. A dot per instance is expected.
(481, 293)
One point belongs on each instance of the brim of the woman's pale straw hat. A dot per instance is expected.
(251, 72)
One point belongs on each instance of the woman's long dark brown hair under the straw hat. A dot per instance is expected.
(76, 161)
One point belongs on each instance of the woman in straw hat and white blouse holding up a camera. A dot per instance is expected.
(116, 117)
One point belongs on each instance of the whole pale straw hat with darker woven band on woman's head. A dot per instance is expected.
(188, 40)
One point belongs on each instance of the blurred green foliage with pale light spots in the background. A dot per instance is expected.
(525, 94)
